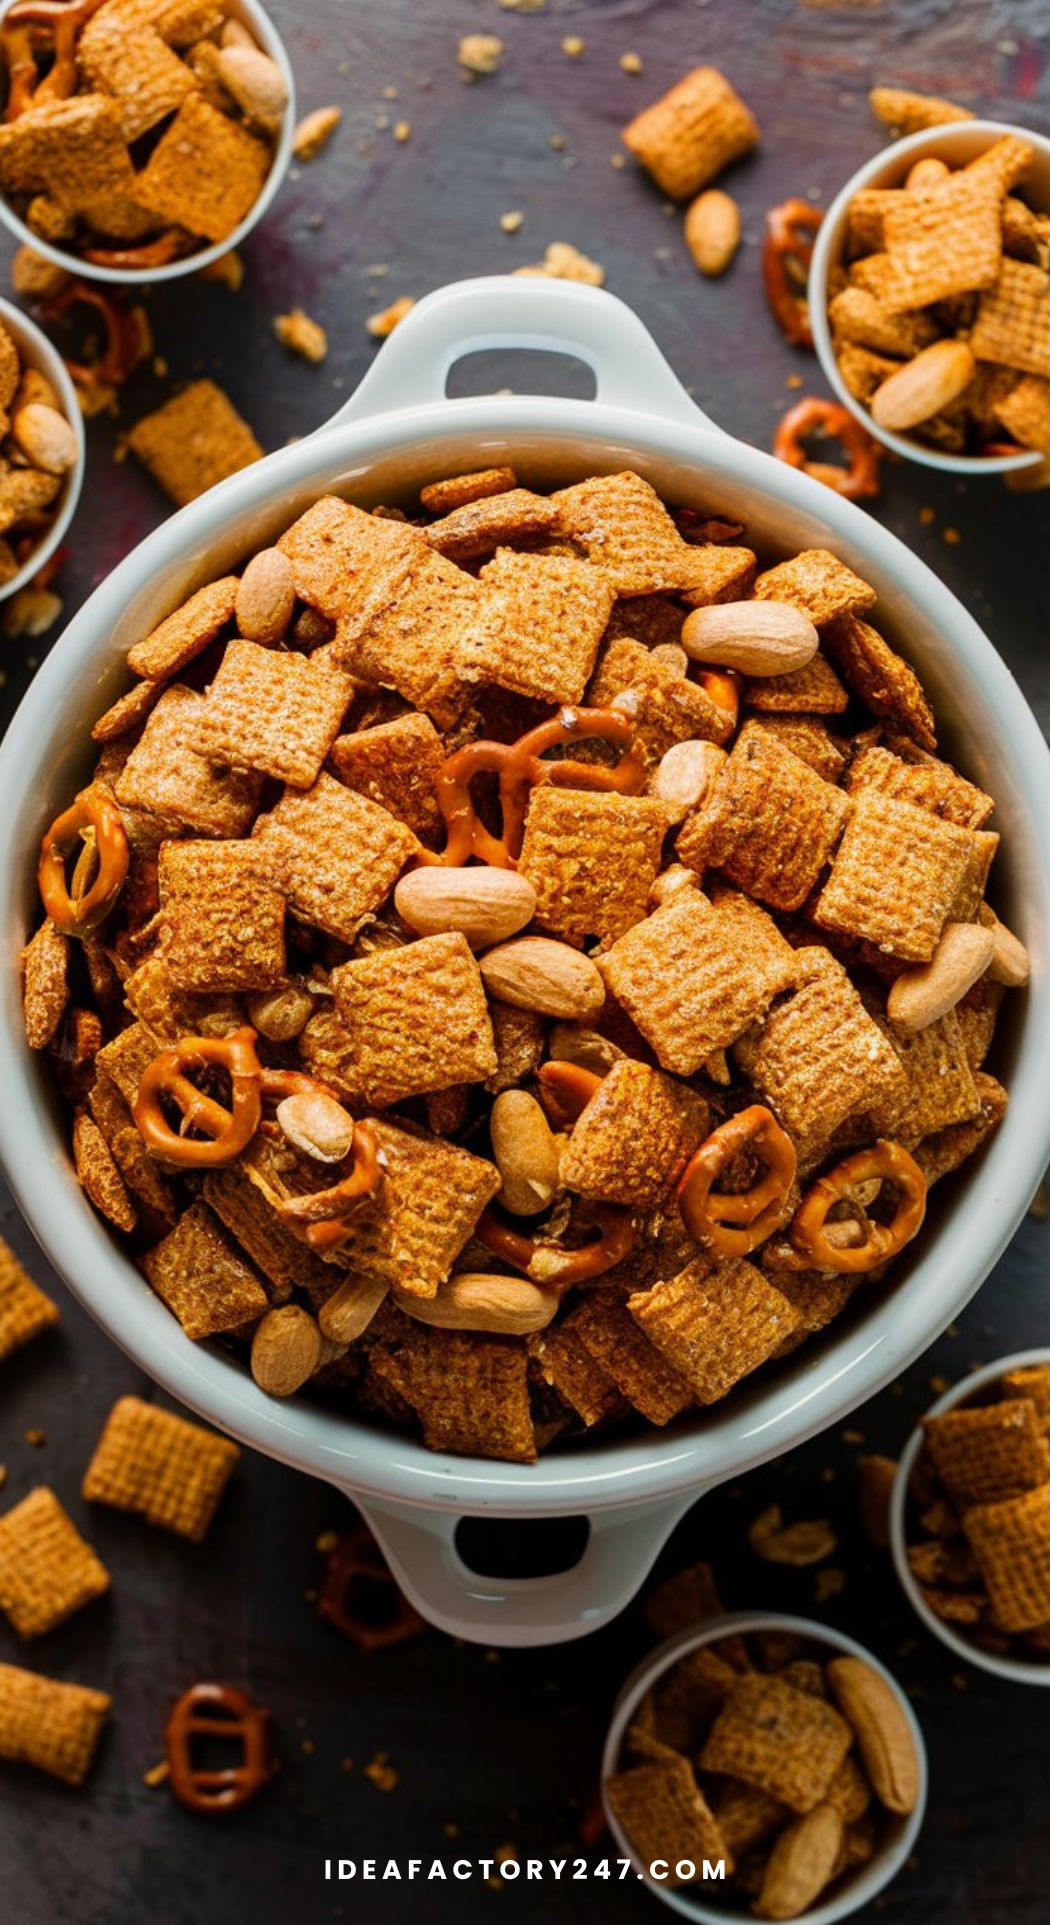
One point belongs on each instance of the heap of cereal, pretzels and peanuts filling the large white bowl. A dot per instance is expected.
(519, 967)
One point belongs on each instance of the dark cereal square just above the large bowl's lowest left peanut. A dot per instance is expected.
(201, 1279)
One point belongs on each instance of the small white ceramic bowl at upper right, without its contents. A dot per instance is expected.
(958, 143)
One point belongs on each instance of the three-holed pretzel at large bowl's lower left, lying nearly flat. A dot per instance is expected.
(226, 1131)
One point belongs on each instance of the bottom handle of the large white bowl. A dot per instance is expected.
(521, 1612)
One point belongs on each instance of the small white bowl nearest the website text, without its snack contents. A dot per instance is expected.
(899, 1837)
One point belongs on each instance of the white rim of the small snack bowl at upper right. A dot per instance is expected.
(914, 147)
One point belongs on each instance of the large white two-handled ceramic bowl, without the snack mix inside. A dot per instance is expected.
(396, 432)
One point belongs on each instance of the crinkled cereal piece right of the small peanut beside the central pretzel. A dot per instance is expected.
(770, 823)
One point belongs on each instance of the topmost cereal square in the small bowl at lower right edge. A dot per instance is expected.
(989, 1452)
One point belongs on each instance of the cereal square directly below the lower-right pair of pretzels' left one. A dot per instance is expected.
(716, 1323)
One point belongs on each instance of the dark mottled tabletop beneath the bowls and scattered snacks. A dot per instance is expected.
(506, 1747)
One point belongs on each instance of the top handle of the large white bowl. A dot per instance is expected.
(502, 311)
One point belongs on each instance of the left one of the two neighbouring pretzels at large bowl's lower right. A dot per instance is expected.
(710, 1214)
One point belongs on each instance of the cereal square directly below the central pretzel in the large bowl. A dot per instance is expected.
(592, 860)
